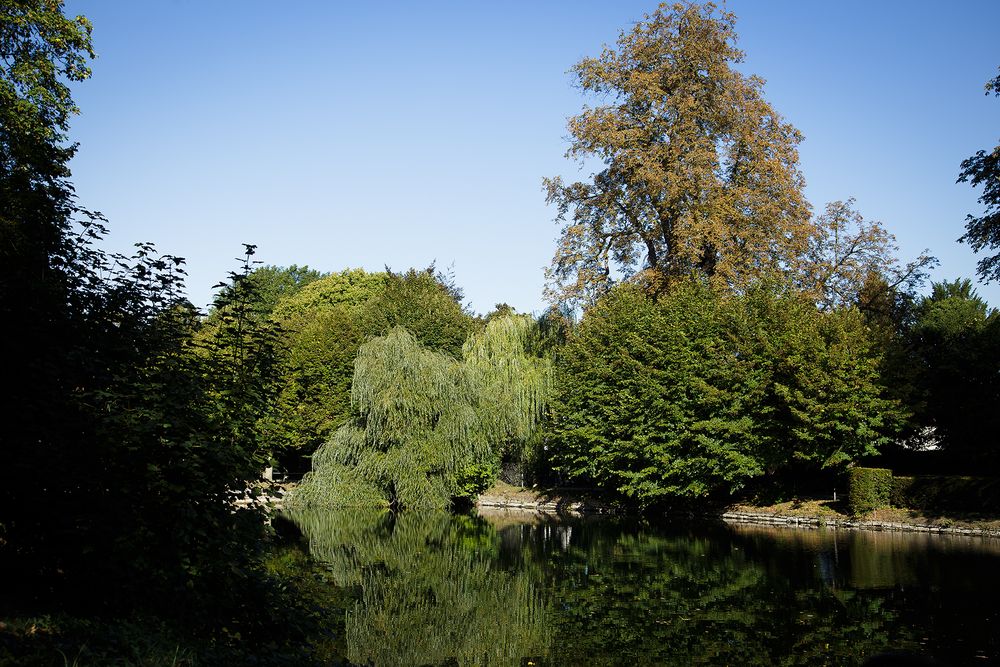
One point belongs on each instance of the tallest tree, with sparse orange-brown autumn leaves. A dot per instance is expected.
(700, 172)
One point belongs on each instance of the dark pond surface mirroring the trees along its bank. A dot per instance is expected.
(516, 589)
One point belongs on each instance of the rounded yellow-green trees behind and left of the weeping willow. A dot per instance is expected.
(325, 323)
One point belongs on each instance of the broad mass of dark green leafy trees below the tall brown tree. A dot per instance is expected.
(695, 394)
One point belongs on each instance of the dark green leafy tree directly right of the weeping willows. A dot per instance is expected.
(643, 402)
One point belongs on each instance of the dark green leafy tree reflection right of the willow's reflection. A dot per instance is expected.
(645, 597)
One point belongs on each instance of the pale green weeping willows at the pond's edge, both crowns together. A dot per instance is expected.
(425, 423)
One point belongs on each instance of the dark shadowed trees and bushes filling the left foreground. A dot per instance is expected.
(127, 433)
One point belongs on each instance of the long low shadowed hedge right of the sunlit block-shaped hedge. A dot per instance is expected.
(947, 493)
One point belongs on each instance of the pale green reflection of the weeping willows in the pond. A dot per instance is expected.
(431, 591)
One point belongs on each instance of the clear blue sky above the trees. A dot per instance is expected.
(365, 134)
